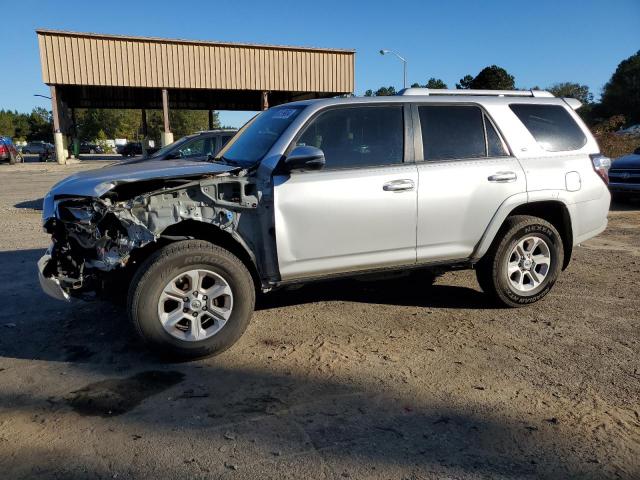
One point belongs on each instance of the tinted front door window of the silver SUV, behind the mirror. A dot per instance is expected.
(362, 136)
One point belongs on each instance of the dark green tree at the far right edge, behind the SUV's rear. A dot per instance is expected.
(621, 94)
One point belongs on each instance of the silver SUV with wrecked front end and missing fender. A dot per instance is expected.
(505, 182)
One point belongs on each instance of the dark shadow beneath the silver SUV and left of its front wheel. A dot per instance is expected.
(99, 332)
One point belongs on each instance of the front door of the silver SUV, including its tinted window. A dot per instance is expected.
(359, 212)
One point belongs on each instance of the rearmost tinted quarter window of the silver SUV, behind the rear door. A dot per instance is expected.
(551, 126)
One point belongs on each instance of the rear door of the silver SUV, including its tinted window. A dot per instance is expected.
(466, 173)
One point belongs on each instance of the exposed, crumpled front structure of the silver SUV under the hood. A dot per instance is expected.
(95, 236)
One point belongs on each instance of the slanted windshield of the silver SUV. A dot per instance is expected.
(255, 140)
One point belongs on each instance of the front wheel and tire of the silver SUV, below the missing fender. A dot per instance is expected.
(160, 271)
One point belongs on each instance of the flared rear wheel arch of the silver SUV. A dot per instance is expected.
(555, 212)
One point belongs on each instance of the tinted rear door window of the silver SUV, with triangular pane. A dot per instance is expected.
(458, 132)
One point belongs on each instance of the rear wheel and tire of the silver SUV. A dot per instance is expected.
(525, 232)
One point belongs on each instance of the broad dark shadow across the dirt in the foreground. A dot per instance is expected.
(261, 421)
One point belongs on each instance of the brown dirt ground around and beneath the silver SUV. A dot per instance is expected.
(334, 380)
